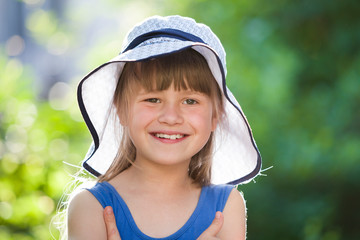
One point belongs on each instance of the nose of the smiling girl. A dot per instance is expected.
(170, 114)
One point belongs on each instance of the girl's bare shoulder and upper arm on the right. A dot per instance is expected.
(234, 226)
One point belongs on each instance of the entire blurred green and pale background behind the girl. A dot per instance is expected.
(294, 65)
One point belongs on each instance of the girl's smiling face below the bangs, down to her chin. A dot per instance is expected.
(169, 127)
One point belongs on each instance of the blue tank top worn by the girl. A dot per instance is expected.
(212, 199)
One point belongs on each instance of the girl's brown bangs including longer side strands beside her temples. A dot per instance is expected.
(183, 70)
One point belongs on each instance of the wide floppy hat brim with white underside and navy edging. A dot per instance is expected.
(236, 157)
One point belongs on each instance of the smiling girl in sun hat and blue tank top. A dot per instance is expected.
(167, 136)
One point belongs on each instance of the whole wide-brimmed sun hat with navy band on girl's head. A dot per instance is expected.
(236, 157)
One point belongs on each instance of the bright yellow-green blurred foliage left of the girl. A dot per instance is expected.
(35, 139)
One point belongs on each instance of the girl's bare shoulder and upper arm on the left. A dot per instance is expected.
(85, 217)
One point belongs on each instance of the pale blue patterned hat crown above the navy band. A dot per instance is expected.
(184, 24)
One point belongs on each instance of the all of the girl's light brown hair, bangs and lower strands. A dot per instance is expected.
(183, 70)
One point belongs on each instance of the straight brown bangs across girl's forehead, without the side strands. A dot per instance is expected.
(184, 70)
